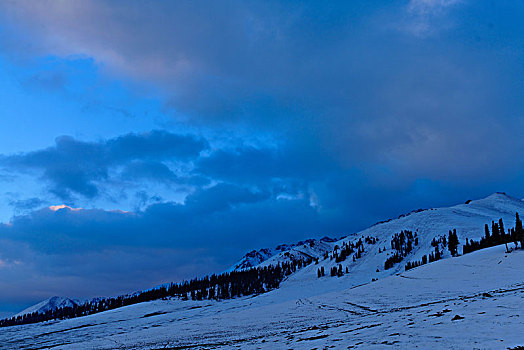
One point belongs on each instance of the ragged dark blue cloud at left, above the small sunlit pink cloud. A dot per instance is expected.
(75, 167)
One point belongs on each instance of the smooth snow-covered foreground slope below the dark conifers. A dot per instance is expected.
(473, 301)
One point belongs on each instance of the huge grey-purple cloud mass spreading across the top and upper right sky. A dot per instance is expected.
(412, 86)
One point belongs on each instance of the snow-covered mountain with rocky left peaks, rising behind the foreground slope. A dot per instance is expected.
(428, 224)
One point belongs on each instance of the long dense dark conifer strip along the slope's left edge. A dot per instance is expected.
(216, 287)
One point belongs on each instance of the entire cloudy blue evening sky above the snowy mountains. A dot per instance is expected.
(146, 142)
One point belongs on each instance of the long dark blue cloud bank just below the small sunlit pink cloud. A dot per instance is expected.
(208, 216)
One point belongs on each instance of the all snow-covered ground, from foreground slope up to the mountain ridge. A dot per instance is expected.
(362, 306)
